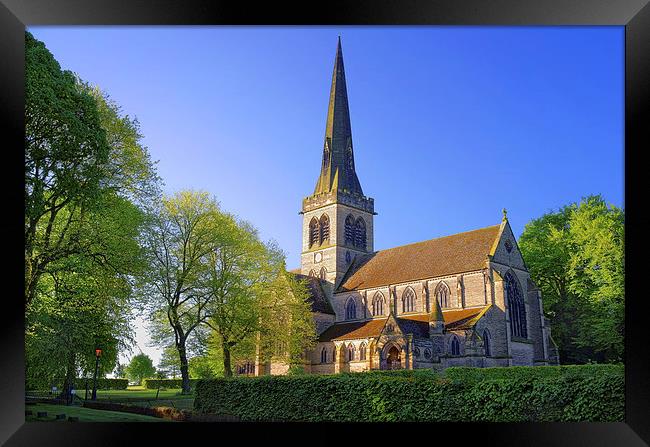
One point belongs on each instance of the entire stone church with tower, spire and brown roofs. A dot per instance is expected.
(460, 300)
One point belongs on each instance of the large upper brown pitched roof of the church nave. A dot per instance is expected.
(447, 255)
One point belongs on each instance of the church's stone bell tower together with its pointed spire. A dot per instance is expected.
(337, 217)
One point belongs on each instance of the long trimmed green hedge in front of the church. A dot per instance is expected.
(516, 394)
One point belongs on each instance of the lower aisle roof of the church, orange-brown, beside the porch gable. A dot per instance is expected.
(418, 325)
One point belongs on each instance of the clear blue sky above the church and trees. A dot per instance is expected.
(450, 124)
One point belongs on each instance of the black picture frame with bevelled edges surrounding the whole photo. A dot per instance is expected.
(15, 15)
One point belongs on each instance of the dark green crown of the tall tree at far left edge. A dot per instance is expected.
(65, 148)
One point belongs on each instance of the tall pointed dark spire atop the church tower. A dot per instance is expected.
(337, 169)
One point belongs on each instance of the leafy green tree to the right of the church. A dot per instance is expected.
(576, 256)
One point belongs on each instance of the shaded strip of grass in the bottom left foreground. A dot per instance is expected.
(85, 414)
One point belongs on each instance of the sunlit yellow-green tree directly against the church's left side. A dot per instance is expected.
(254, 300)
